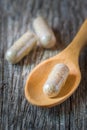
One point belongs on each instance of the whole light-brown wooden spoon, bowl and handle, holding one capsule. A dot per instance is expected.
(70, 56)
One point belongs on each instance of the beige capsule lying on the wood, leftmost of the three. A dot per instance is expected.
(21, 47)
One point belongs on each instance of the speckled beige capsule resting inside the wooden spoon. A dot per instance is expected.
(56, 80)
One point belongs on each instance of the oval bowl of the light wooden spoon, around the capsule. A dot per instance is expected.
(38, 76)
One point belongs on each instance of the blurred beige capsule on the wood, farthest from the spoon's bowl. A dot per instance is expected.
(44, 32)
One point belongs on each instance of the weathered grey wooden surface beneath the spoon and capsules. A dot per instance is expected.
(15, 112)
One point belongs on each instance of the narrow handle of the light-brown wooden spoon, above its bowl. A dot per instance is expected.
(79, 41)
